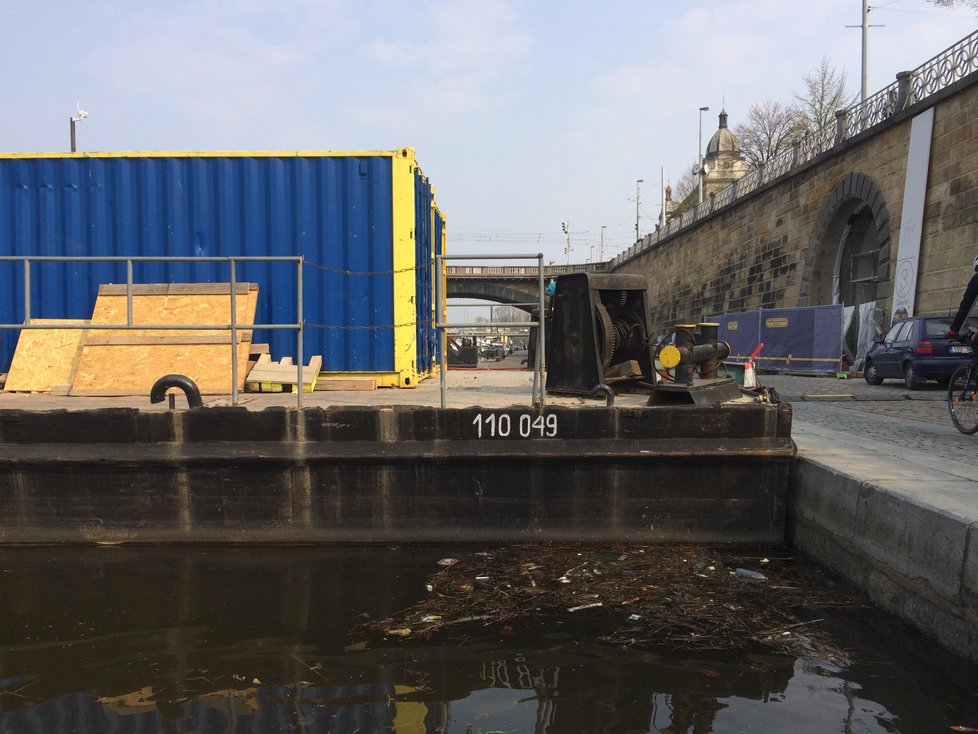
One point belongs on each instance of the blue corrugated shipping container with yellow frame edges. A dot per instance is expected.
(363, 221)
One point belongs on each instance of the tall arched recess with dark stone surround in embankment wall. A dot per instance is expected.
(848, 260)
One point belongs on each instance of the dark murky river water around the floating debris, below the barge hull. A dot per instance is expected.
(257, 639)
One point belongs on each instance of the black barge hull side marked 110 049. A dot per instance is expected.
(705, 474)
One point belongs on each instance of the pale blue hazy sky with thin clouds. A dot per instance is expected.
(524, 114)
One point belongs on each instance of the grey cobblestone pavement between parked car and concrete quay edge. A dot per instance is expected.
(889, 414)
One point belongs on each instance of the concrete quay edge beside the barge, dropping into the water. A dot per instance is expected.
(898, 523)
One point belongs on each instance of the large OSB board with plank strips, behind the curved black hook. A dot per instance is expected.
(128, 362)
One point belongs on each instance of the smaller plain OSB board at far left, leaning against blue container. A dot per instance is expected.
(45, 357)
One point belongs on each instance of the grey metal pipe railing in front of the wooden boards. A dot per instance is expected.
(233, 327)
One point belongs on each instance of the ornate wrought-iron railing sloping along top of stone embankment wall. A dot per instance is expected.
(910, 88)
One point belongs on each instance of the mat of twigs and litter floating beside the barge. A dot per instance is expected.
(692, 598)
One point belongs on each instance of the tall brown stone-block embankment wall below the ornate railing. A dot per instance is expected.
(768, 250)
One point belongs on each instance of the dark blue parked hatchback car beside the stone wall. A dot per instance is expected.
(916, 350)
